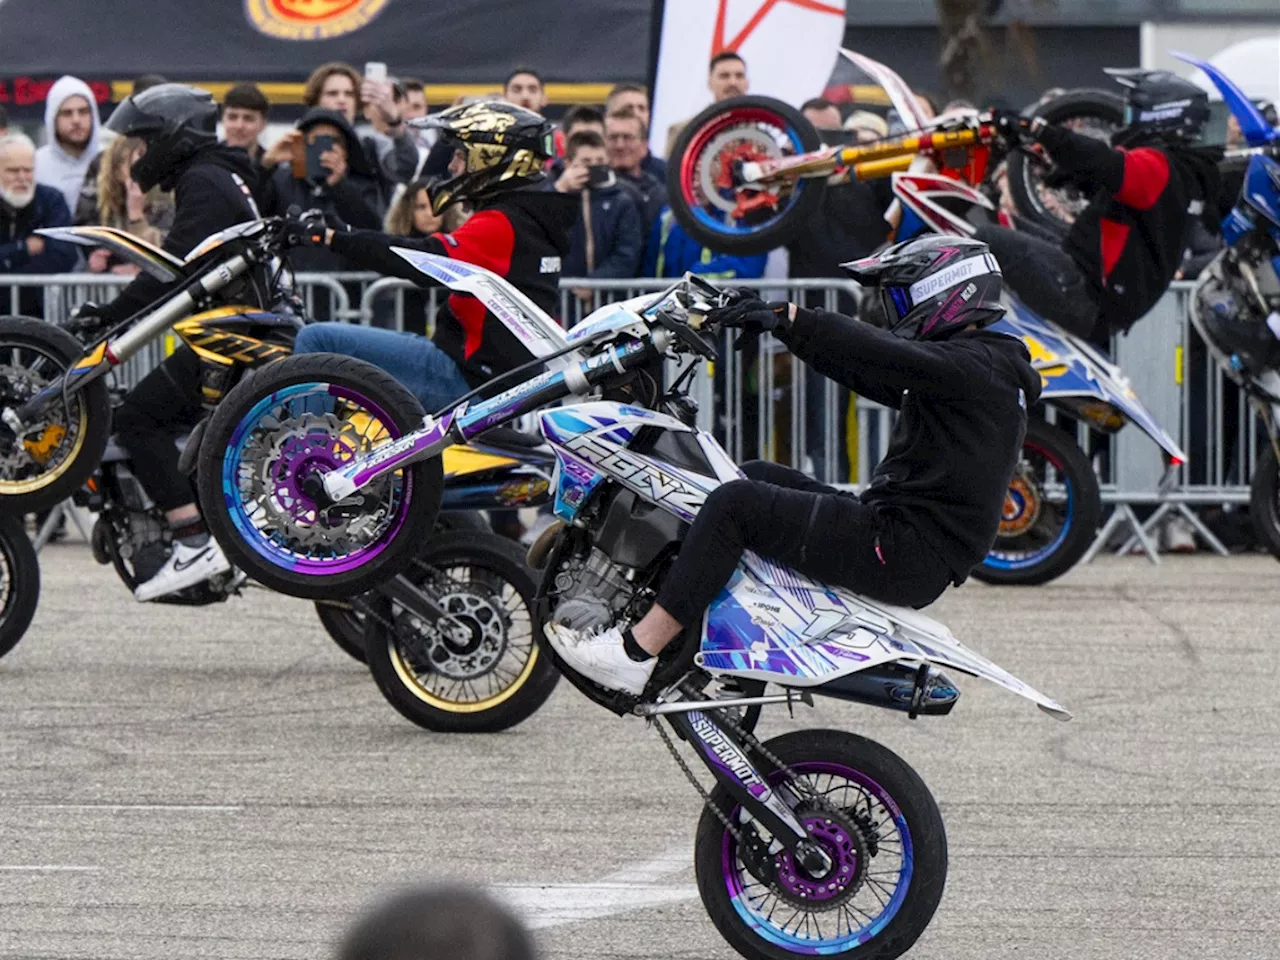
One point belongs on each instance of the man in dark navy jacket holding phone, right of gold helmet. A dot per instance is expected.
(609, 237)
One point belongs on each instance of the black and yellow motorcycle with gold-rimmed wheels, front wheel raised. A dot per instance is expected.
(230, 303)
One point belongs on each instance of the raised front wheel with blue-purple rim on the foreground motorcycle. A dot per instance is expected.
(291, 420)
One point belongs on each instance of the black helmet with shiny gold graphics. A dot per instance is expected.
(505, 147)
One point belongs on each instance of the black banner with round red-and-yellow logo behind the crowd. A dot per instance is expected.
(440, 42)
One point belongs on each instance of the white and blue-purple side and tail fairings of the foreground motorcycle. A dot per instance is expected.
(770, 623)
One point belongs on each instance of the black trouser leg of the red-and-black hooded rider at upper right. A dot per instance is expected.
(1044, 277)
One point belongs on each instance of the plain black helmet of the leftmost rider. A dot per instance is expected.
(175, 121)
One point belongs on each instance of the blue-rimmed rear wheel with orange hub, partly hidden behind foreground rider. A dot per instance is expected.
(1052, 511)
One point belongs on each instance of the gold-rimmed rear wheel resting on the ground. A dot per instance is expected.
(493, 682)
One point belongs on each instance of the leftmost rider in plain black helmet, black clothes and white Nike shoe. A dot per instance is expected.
(214, 189)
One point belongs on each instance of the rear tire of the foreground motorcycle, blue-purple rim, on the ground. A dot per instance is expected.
(902, 860)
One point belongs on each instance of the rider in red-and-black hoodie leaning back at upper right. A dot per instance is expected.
(1126, 249)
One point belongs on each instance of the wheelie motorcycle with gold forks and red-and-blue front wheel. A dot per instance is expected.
(749, 172)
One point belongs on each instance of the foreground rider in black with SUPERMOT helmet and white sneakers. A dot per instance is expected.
(934, 505)
